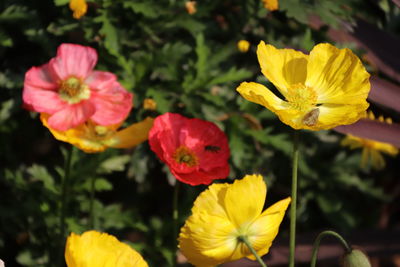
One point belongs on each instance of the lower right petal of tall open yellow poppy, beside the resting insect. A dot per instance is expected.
(332, 115)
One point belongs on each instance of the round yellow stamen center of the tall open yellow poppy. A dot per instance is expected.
(301, 97)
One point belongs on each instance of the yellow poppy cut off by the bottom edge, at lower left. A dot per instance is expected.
(95, 249)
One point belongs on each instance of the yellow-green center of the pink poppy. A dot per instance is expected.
(73, 90)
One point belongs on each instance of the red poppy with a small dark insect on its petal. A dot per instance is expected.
(196, 151)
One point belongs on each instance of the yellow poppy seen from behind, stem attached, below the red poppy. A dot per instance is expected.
(226, 212)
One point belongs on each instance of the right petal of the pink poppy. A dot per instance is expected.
(112, 104)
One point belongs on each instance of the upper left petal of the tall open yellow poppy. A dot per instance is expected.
(283, 67)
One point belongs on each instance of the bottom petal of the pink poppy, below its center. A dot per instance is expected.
(71, 116)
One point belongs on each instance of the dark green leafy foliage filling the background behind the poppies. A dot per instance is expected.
(188, 64)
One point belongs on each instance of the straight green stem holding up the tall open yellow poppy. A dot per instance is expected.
(293, 206)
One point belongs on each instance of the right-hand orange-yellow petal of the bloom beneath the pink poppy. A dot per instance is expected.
(132, 135)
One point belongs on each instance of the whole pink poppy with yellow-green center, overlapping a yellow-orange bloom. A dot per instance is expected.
(71, 92)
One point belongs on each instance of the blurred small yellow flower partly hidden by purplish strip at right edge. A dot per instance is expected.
(371, 150)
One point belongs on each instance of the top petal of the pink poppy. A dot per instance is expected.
(73, 60)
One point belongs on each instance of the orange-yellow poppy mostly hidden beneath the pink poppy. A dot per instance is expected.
(93, 138)
